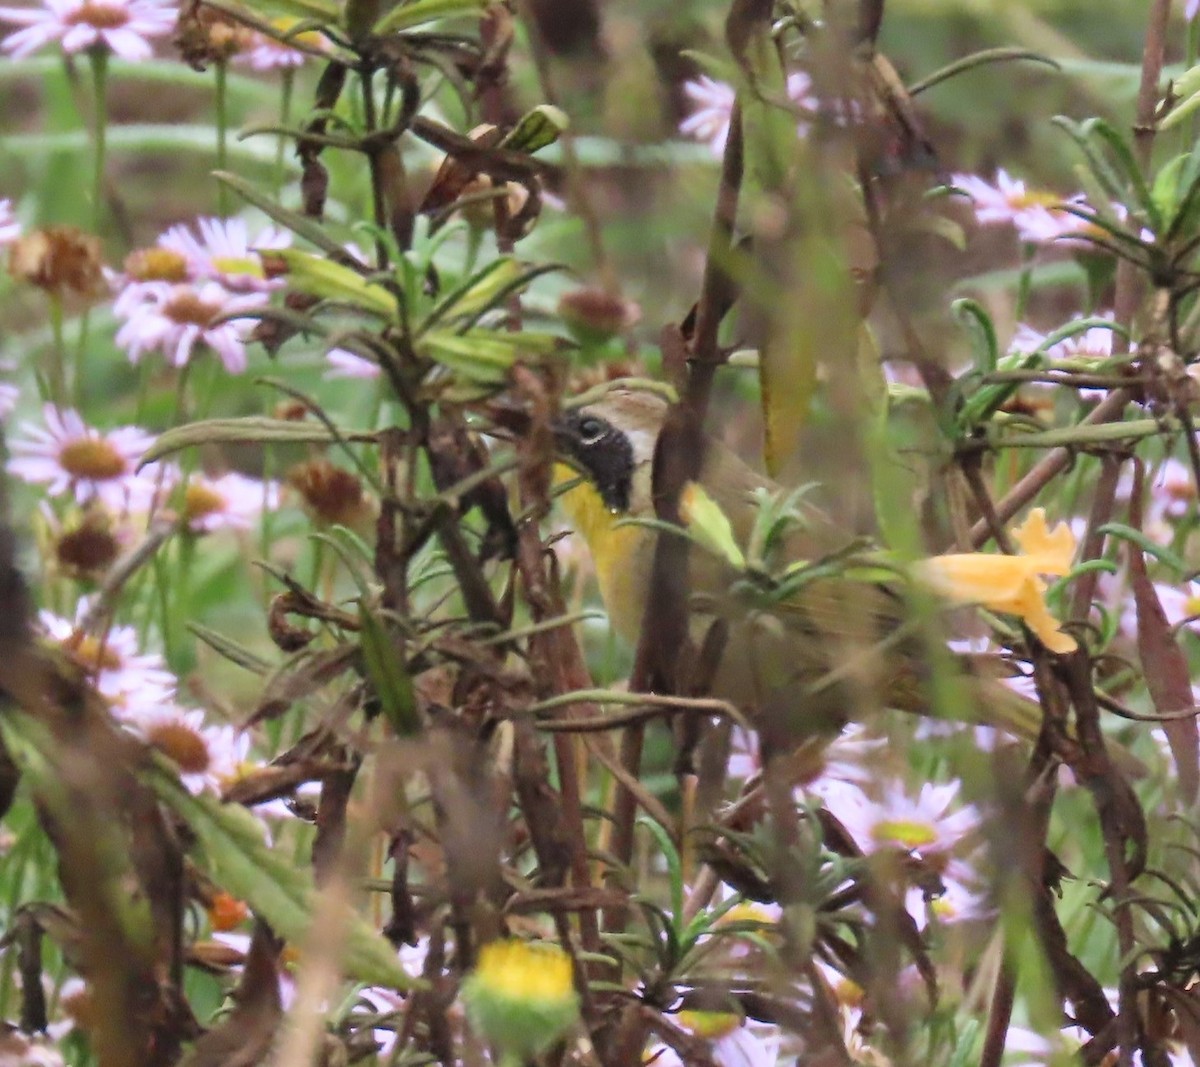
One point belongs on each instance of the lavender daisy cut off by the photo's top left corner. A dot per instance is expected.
(123, 27)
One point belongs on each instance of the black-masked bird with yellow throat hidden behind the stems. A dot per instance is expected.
(802, 666)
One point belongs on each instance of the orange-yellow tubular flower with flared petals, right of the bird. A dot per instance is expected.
(1012, 585)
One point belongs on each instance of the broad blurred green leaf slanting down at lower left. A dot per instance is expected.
(232, 847)
